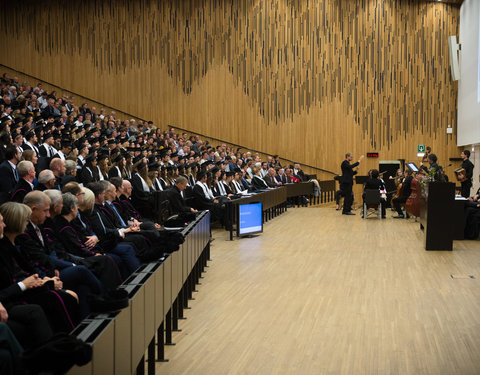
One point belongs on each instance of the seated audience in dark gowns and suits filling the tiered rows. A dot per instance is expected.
(76, 196)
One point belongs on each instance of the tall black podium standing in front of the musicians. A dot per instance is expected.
(436, 212)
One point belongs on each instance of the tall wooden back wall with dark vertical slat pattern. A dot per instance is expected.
(308, 80)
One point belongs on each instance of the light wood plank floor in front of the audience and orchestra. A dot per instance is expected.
(323, 293)
